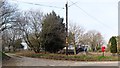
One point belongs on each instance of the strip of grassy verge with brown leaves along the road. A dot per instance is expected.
(89, 57)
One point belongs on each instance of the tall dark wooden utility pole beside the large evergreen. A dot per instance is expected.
(66, 5)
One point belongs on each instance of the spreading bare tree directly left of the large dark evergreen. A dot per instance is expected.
(30, 25)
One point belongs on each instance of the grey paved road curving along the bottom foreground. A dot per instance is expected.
(26, 61)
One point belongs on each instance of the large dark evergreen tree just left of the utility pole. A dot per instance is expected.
(53, 33)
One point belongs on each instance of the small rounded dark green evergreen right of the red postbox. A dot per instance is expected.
(113, 44)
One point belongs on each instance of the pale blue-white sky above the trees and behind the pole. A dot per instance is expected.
(99, 15)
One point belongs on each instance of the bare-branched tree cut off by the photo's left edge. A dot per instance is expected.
(8, 15)
